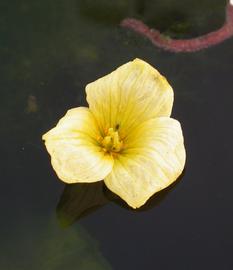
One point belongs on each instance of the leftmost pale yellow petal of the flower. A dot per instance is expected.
(75, 153)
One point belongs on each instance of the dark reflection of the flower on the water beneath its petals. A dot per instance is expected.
(81, 199)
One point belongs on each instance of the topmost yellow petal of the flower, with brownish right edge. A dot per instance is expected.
(133, 93)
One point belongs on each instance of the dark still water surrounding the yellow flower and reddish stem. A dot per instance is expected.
(49, 51)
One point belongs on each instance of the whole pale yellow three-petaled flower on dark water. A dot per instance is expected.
(125, 137)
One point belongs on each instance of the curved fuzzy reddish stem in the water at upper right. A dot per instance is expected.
(184, 45)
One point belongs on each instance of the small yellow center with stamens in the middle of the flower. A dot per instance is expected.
(112, 142)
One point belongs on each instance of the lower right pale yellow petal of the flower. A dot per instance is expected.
(153, 159)
